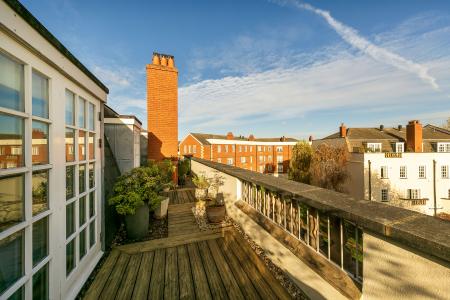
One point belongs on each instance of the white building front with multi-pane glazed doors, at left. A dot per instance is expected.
(50, 162)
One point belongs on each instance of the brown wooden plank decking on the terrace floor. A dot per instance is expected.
(189, 264)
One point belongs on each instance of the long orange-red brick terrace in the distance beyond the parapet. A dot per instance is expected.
(263, 155)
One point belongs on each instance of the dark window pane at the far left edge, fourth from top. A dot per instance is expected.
(12, 261)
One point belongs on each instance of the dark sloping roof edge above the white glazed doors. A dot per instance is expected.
(33, 22)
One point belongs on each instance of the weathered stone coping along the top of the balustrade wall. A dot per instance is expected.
(425, 233)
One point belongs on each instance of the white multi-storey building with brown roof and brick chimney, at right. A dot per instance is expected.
(407, 168)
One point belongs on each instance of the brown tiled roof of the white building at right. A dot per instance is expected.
(357, 137)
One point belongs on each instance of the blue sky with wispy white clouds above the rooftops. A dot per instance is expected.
(268, 67)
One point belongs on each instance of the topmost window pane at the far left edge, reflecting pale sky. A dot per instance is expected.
(11, 84)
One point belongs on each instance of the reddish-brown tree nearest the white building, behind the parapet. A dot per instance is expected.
(328, 167)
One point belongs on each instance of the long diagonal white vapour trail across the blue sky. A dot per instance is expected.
(352, 37)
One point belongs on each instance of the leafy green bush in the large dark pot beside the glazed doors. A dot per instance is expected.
(140, 185)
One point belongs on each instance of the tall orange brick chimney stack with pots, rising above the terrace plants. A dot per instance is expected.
(162, 107)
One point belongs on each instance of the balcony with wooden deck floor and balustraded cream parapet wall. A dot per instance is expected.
(329, 245)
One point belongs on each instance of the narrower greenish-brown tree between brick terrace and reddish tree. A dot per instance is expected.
(300, 164)
